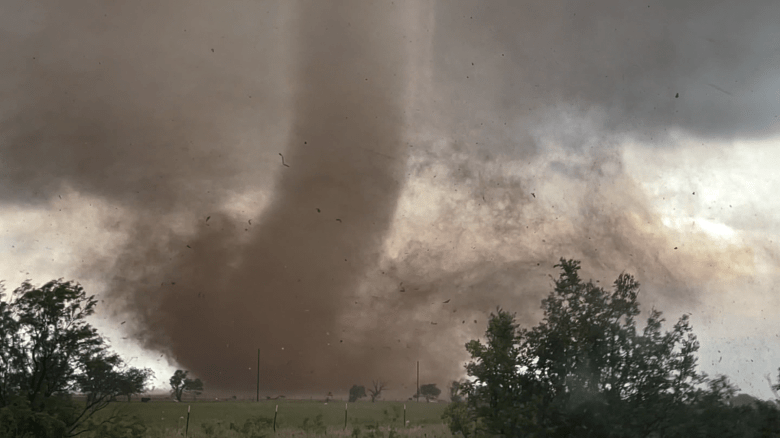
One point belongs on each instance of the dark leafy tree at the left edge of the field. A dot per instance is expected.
(49, 352)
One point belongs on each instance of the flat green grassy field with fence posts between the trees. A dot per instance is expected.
(254, 419)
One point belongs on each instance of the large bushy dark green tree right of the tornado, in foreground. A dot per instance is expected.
(585, 370)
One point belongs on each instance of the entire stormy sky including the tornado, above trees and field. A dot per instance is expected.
(316, 179)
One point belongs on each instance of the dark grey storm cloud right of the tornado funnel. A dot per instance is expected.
(629, 60)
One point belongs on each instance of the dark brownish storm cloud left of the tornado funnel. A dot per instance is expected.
(127, 103)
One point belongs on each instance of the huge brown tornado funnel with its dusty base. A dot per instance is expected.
(286, 288)
